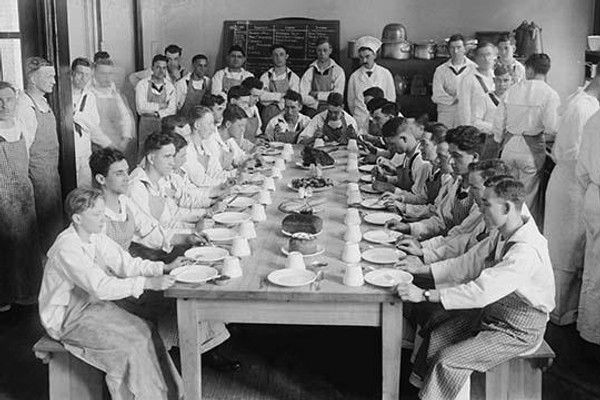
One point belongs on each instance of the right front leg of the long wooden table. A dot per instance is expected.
(391, 331)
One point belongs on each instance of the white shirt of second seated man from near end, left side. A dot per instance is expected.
(148, 231)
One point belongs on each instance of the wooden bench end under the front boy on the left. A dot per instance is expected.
(69, 377)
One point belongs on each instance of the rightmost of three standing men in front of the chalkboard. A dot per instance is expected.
(322, 77)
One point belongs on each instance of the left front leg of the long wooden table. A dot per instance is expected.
(189, 345)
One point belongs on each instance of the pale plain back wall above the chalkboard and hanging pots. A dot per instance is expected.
(197, 25)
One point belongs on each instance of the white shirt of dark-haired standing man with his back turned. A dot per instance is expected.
(527, 108)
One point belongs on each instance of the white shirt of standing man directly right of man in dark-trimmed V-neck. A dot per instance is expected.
(475, 106)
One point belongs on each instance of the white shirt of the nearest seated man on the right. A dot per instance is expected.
(465, 282)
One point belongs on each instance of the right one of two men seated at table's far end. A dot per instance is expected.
(332, 125)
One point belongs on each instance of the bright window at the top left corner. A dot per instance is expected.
(10, 44)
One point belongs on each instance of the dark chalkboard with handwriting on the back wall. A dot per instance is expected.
(298, 35)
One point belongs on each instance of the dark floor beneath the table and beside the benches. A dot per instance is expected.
(299, 363)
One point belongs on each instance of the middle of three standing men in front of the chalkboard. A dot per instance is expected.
(276, 82)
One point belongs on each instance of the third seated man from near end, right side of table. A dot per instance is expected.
(465, 144)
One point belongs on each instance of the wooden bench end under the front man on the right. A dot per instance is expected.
(517, 379)
